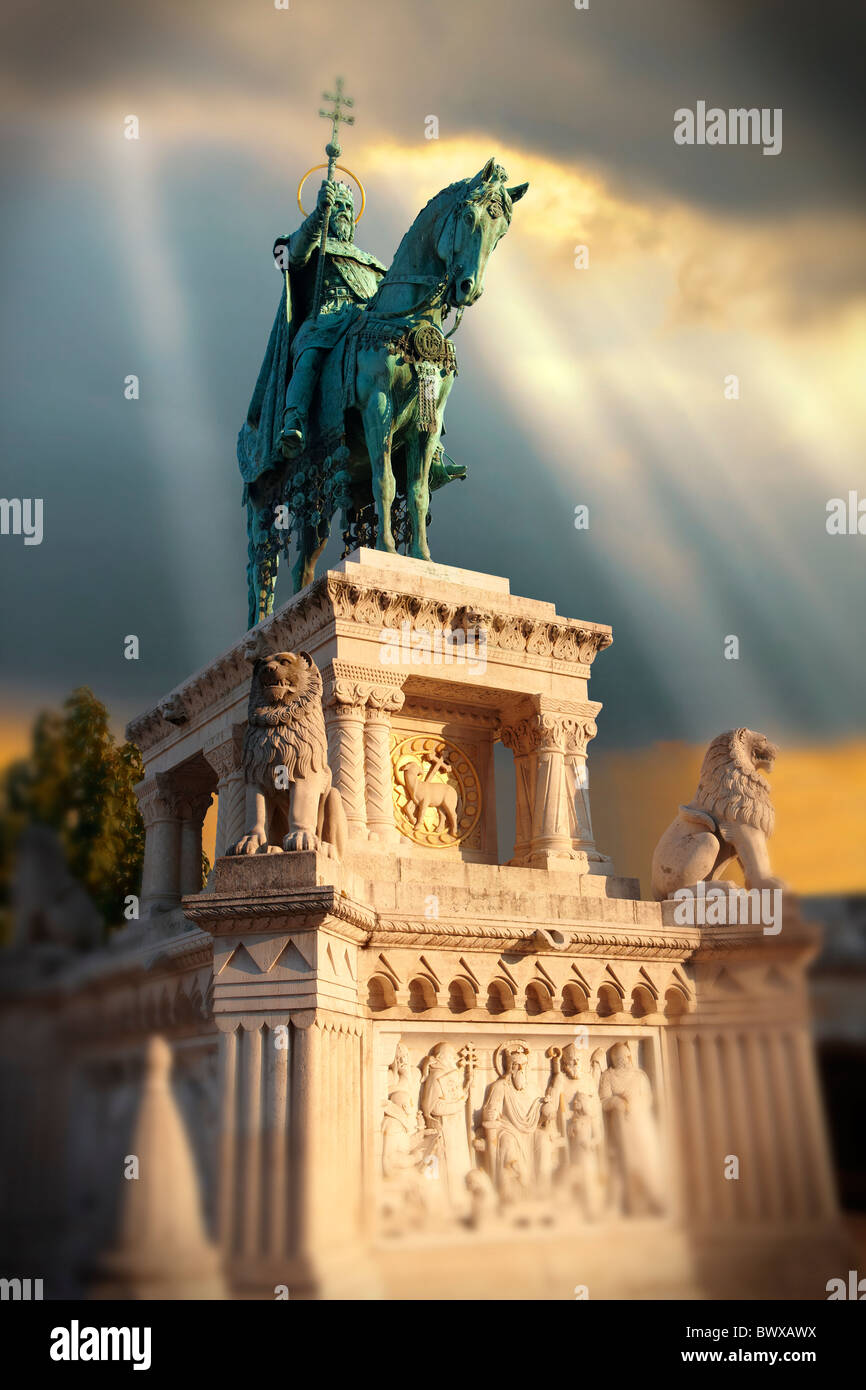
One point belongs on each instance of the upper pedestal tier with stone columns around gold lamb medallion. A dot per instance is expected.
(425, 668)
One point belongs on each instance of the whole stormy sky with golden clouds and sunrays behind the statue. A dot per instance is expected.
(600, 387)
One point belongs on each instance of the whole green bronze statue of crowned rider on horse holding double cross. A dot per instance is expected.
(348, 411)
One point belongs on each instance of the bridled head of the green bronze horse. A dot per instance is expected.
(479, 222)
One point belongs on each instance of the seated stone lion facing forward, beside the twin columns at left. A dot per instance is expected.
(290, 800)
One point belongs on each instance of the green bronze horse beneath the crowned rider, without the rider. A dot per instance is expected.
(376, 425)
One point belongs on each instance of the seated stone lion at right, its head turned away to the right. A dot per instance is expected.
(730, 818)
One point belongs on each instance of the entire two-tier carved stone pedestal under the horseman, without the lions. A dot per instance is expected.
(452, 1071)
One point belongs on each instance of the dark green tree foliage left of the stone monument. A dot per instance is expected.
(79, 780)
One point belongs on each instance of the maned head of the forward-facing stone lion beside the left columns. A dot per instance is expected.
(286, 725)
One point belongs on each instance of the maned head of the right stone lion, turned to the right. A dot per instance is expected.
(730, 786)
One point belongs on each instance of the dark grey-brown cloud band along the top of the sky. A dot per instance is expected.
(598, 87)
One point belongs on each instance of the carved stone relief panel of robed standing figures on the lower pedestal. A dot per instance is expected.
(564, 1128)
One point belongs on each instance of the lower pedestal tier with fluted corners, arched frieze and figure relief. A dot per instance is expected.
(518, 1061)
